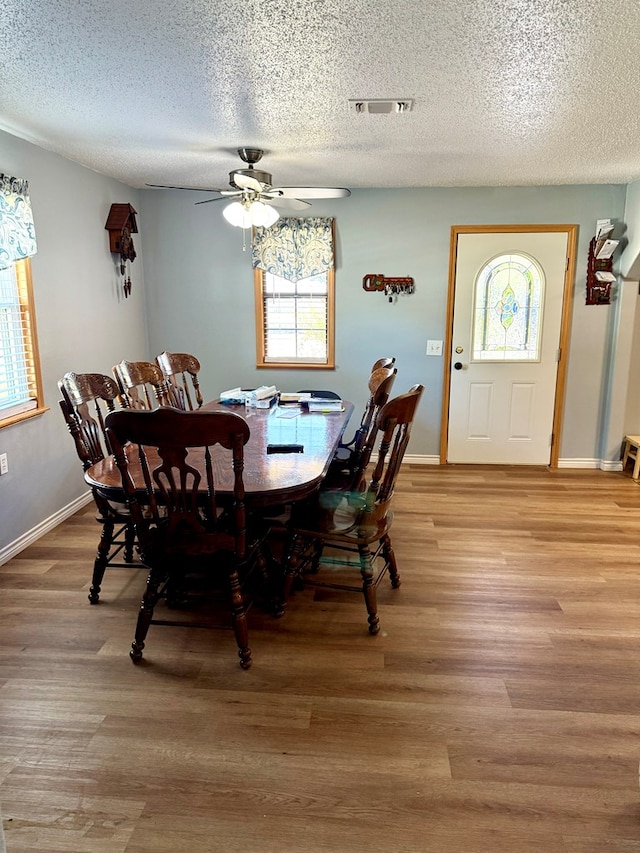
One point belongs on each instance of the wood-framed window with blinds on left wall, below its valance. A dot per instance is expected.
(20, 380)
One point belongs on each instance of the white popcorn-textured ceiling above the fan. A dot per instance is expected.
(506, 92)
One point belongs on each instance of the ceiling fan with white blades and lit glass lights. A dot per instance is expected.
(256, 196)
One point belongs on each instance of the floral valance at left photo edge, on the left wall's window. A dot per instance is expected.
(17, 232)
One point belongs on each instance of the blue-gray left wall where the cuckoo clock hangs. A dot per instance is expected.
(83, 322)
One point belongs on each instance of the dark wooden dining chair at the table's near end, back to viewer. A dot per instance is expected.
(183, 525)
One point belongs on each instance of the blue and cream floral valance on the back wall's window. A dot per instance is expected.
(294, 248)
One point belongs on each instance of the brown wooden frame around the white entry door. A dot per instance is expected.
(565, 325)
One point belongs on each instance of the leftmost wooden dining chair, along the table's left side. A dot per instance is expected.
(86, 399)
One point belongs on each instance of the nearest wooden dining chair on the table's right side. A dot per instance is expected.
(326, 528)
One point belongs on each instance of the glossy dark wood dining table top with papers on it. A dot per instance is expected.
(268, 478)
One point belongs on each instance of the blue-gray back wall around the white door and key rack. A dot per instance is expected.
(200, 291)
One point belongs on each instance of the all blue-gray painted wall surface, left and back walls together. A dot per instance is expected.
(194, 292)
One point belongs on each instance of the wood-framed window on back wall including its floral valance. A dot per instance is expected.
(294, 294)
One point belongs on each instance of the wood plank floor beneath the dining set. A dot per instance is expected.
(498, 711)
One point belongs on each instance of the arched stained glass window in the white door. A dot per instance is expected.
(507, 312)
